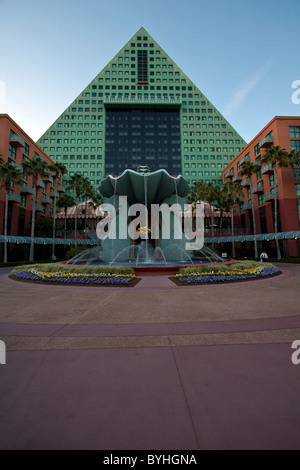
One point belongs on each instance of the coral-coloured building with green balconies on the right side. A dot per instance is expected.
(283, 131)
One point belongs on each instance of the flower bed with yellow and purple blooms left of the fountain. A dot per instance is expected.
(66, 277)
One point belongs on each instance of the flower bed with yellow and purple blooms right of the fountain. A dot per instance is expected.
(225, 276)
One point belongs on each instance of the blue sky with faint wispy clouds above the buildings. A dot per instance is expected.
(244, 55)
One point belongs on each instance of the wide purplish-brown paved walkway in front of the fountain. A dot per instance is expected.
(151, 367)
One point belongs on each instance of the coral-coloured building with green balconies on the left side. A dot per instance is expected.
(15, 147)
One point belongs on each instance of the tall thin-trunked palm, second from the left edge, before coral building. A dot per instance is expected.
(35, 168)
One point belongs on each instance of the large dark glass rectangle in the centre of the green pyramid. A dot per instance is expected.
(145, 136)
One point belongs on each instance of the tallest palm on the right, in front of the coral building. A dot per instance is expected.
(278, 158)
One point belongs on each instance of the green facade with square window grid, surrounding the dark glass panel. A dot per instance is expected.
(204, 132)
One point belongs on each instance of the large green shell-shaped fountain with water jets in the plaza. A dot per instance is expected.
(150, 247)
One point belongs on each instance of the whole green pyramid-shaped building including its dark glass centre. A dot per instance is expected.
(141, 109)
